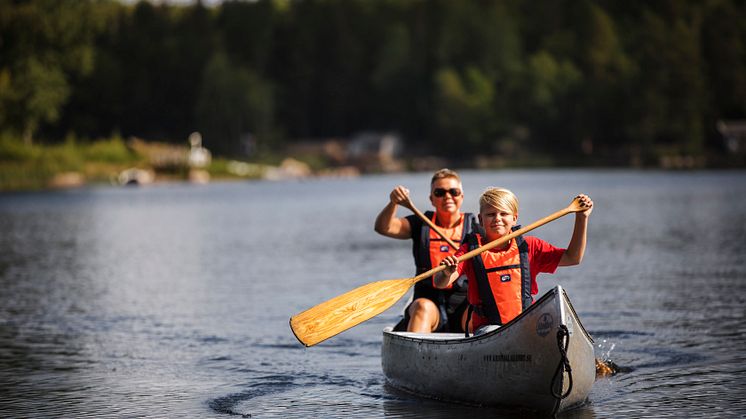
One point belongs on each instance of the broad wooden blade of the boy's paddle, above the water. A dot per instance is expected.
(334, 316)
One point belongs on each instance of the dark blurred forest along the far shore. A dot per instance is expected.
(566, 82)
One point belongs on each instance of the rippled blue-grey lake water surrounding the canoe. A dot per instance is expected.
(174, 300)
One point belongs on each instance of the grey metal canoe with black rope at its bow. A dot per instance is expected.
(519, 365)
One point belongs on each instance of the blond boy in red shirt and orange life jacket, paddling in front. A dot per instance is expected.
(502, 280)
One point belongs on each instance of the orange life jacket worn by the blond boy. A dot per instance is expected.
(503, 280)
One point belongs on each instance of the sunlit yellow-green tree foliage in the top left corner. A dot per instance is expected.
(43, 44)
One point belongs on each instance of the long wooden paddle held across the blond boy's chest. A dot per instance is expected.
(334, 316)
